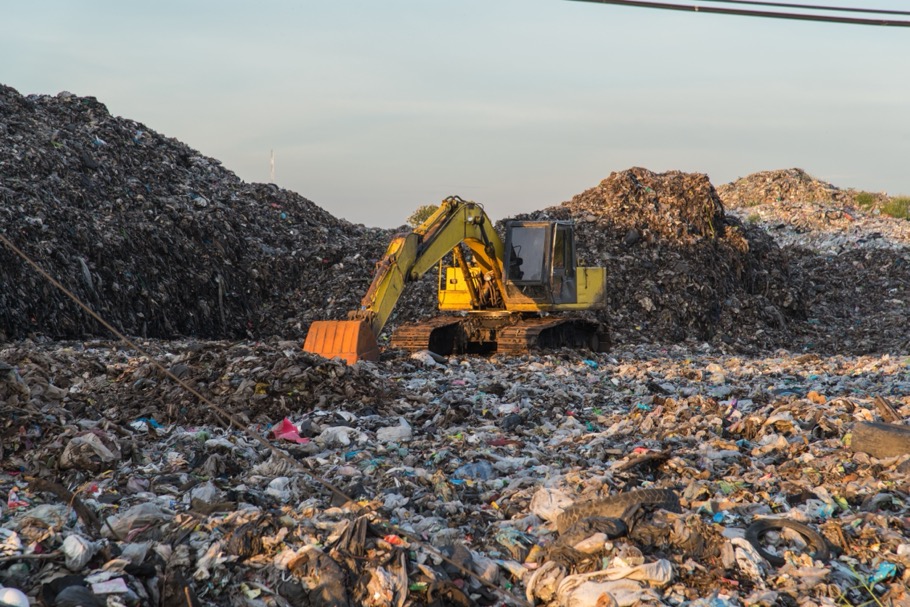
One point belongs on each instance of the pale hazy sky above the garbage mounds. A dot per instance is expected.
(374, 107)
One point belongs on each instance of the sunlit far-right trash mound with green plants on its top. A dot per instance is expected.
(852, 261)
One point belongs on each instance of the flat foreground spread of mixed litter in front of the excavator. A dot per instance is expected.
(740, 481)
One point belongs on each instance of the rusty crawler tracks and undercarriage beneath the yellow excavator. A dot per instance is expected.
(505, 334)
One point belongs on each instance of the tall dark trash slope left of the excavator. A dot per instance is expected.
(159, 239)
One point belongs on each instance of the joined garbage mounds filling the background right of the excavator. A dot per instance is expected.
(818, 276)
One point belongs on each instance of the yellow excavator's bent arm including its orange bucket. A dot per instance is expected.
(408, 257)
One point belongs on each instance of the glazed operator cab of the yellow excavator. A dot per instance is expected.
(540, 260)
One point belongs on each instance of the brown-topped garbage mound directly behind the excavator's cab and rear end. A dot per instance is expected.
(678, 266)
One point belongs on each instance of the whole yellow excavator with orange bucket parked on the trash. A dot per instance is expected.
(496, 296)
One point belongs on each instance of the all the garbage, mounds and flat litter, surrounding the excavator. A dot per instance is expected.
(744, 441)
